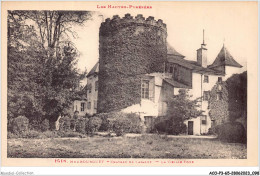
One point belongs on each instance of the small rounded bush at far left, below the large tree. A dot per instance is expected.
(20, 125)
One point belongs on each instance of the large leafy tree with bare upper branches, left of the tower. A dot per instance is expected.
(42, 77)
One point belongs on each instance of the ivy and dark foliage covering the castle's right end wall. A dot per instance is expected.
(233, 104)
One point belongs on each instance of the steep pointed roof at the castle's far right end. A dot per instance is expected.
(224, 58)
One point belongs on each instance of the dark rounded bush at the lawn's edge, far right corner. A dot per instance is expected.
(232, 132)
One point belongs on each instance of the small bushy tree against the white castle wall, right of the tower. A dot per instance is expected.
(181, 108)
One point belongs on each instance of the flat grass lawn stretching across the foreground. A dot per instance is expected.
(145, 146)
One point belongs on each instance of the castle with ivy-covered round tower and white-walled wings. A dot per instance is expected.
(138, 71)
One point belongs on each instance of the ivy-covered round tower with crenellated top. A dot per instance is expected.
(128, 48)
